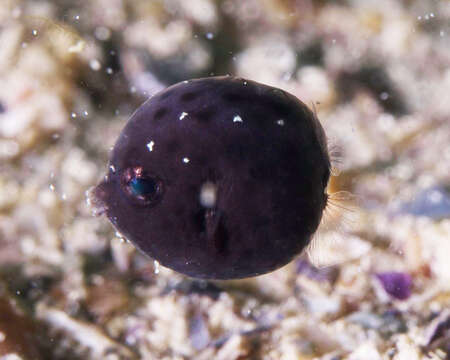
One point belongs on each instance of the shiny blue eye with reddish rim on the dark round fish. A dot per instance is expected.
(142, 187)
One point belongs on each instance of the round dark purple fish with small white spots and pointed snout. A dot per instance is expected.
(218, 178)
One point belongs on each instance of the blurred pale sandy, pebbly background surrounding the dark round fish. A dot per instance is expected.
(378, 75)
